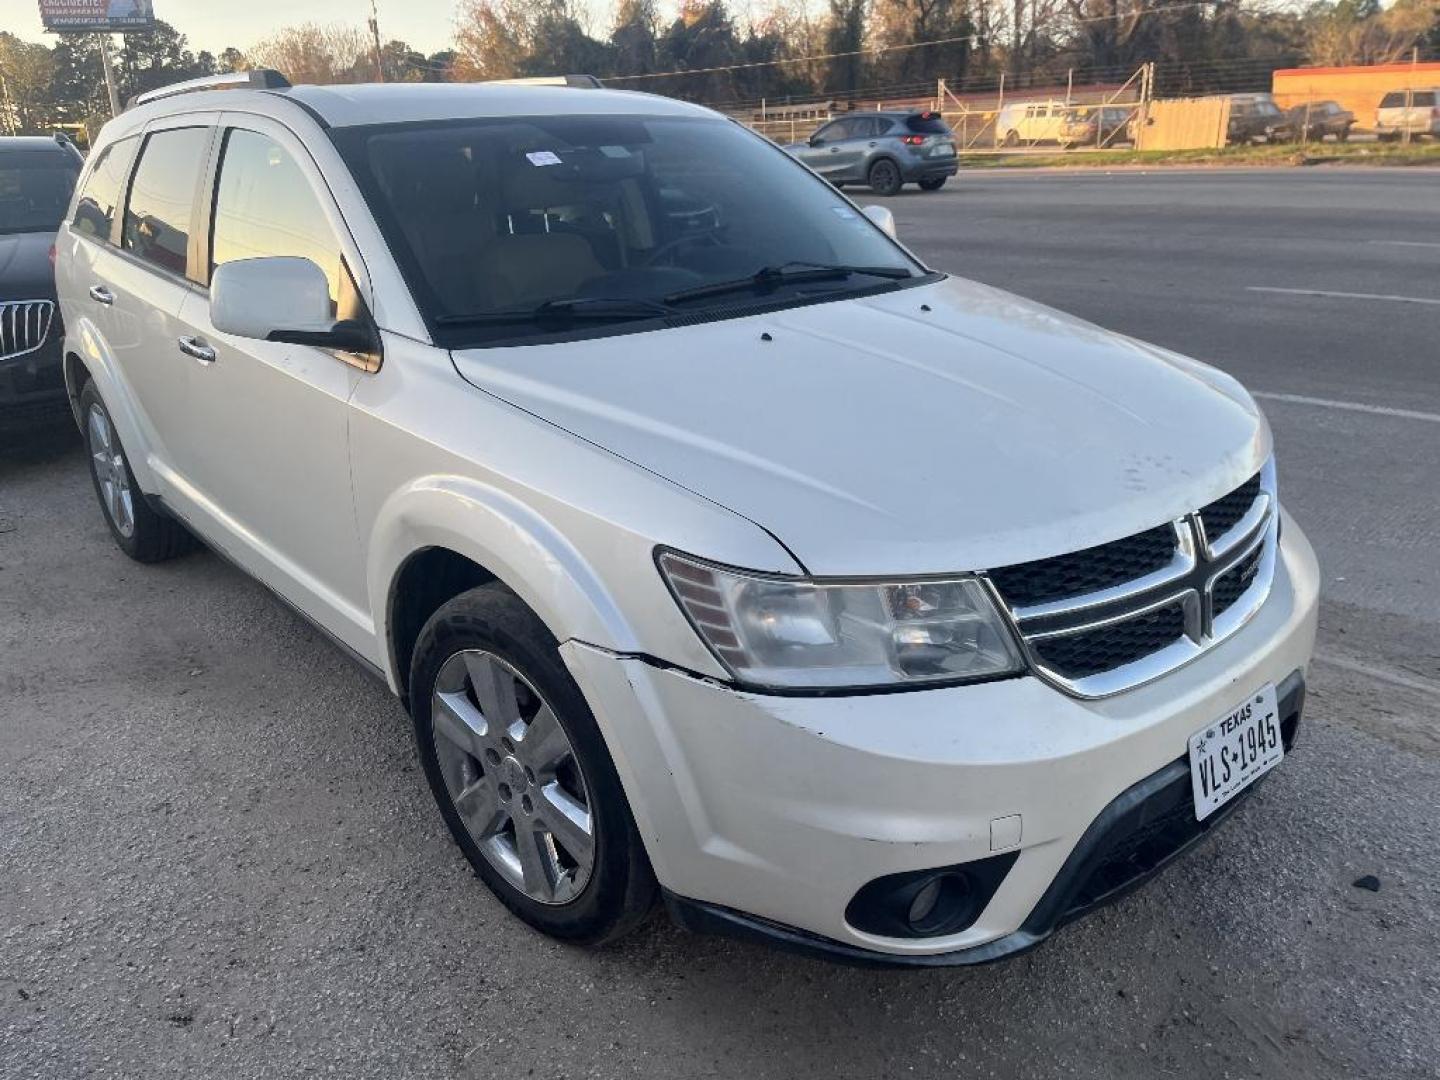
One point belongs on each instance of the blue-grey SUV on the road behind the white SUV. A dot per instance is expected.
(885, 150)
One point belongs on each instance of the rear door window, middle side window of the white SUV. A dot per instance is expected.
(162, 198)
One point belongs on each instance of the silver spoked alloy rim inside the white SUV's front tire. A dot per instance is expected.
(513, 777)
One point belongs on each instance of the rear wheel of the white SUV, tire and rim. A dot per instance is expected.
(139, 529)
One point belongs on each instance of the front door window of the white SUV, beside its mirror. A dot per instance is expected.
(264, 205)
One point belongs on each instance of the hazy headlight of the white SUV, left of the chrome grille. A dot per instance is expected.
(788, 633)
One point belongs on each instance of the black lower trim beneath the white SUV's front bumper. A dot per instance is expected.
(1138, 834)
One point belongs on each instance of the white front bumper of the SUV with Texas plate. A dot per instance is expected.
(768, 814)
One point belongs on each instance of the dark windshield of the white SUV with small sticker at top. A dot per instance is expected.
(502, 217)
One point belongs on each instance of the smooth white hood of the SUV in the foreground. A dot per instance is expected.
(940, 428)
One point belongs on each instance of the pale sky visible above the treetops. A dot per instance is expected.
(214, 25)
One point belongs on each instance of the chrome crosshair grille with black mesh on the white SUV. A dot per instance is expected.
(1112, 617)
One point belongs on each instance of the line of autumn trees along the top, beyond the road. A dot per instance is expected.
(790, 50)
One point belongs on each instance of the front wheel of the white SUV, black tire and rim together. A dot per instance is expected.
(522, 773)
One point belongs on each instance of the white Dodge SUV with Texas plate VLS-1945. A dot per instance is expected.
(719, 549)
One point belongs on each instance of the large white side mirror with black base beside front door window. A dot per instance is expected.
(282, 299)
